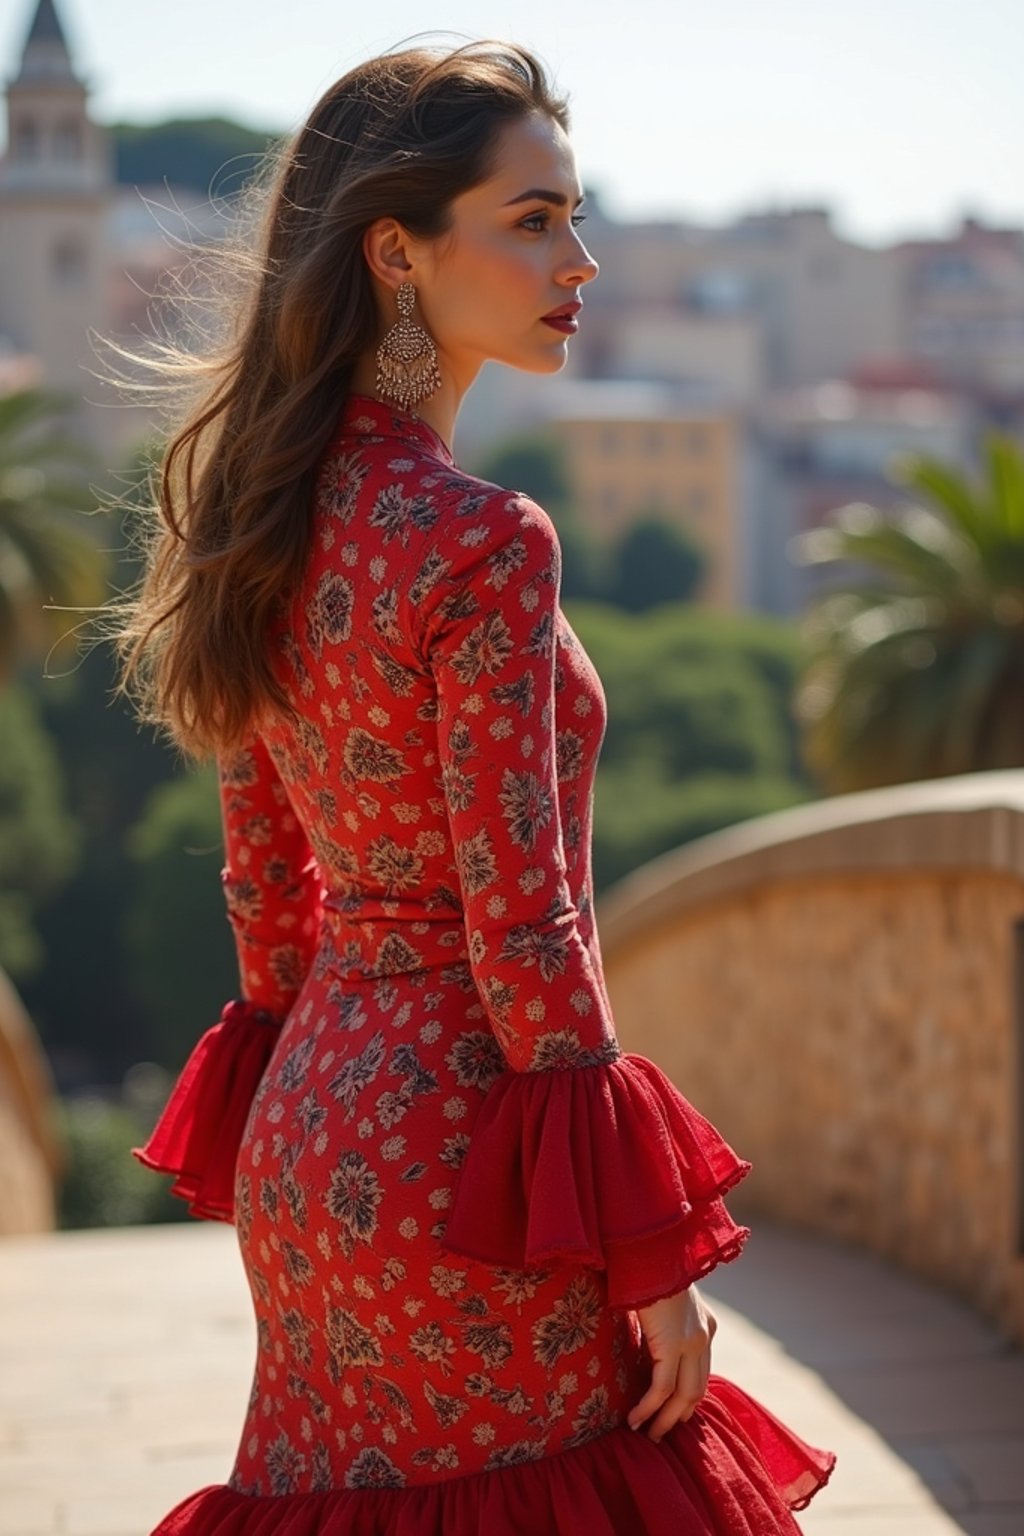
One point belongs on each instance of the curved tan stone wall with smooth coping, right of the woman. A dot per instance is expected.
(834, 987)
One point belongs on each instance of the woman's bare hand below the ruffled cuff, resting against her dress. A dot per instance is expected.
(678, 1331)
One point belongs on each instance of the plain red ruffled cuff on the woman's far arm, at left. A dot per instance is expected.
(200, 1130)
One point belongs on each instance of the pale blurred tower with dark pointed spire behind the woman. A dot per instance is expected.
(56, 187)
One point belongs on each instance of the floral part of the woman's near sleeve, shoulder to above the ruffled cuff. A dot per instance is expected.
(492, 646)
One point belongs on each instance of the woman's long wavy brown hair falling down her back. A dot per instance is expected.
(230, 518)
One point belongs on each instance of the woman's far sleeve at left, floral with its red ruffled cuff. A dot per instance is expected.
(274, 892)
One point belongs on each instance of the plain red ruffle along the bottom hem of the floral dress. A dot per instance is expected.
(733, 1469)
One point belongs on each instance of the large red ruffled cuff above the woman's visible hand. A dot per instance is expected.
(606, 1167)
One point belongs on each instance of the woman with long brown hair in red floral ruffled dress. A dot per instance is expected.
(472, 1225)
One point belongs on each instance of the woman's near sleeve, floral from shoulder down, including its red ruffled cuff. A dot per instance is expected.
(580, 1151)
